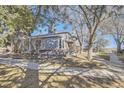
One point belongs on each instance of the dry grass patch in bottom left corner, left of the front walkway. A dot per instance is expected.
(10, 76)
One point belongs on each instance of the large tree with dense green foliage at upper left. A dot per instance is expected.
(16, 20)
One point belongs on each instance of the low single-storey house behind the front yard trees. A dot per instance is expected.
(50, 44)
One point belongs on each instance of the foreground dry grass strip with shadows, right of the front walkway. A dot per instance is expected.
(74, 81)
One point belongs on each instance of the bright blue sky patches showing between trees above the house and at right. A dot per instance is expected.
(60, 28)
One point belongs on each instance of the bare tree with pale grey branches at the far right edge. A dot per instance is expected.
(115, 27)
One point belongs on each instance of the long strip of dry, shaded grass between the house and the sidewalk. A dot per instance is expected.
(74, 61)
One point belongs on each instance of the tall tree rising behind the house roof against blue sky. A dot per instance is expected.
(51, 17)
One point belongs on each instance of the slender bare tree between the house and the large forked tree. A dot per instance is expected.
(74, 19)
